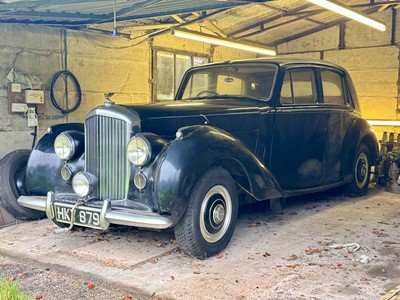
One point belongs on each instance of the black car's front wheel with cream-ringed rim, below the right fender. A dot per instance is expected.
(209, 221)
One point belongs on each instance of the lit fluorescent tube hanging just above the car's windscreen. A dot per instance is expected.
(201, 37)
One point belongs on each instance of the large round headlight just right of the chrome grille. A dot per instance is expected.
(139, 150)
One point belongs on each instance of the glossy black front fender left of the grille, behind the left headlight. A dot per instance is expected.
(43, 167)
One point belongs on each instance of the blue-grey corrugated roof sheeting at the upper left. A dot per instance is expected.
(73, 11)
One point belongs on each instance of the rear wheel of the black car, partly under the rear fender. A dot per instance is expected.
(361, 173)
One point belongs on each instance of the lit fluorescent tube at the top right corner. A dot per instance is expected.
(349, 13)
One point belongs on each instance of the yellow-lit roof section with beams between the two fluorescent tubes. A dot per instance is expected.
(270, 22)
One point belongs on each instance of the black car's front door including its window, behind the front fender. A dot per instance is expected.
(298, 143)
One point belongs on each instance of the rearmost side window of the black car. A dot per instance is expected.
(332, 85)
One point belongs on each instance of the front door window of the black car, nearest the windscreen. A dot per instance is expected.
(299, 87)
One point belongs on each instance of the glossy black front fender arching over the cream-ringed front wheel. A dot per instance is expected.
(193, 152)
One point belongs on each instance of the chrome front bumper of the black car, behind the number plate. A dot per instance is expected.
(107, 216)
